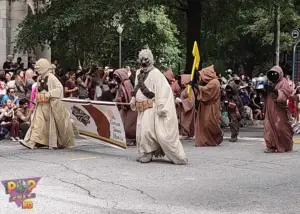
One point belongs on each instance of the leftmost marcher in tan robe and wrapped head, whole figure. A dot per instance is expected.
(51, 124)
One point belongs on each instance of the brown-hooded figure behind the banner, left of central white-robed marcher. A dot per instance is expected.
(124, 95)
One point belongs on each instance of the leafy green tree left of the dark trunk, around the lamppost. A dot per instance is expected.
(85, 30)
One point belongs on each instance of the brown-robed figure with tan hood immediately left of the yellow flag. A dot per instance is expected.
(186, 110)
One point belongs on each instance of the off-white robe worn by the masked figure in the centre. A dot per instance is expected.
(153, 132)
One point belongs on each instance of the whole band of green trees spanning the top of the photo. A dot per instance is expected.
(233, 34)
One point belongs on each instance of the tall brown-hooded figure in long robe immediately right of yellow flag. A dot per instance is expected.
(208, 131)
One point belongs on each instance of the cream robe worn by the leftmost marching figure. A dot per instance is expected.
(51, 124)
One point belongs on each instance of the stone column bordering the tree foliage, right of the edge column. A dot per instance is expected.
(18, 12)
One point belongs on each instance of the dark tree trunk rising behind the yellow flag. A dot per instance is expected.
(193, 31)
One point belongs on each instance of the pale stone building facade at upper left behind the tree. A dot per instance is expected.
(11, 15)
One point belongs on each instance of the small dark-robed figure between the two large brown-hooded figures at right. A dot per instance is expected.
(235, 109)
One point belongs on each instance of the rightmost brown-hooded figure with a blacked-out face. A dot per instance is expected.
(278, 132)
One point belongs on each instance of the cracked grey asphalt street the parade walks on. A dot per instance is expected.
(92, 178)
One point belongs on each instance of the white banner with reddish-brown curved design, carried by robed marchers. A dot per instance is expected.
(100, 121)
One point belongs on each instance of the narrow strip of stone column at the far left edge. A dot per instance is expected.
(4, 31)
